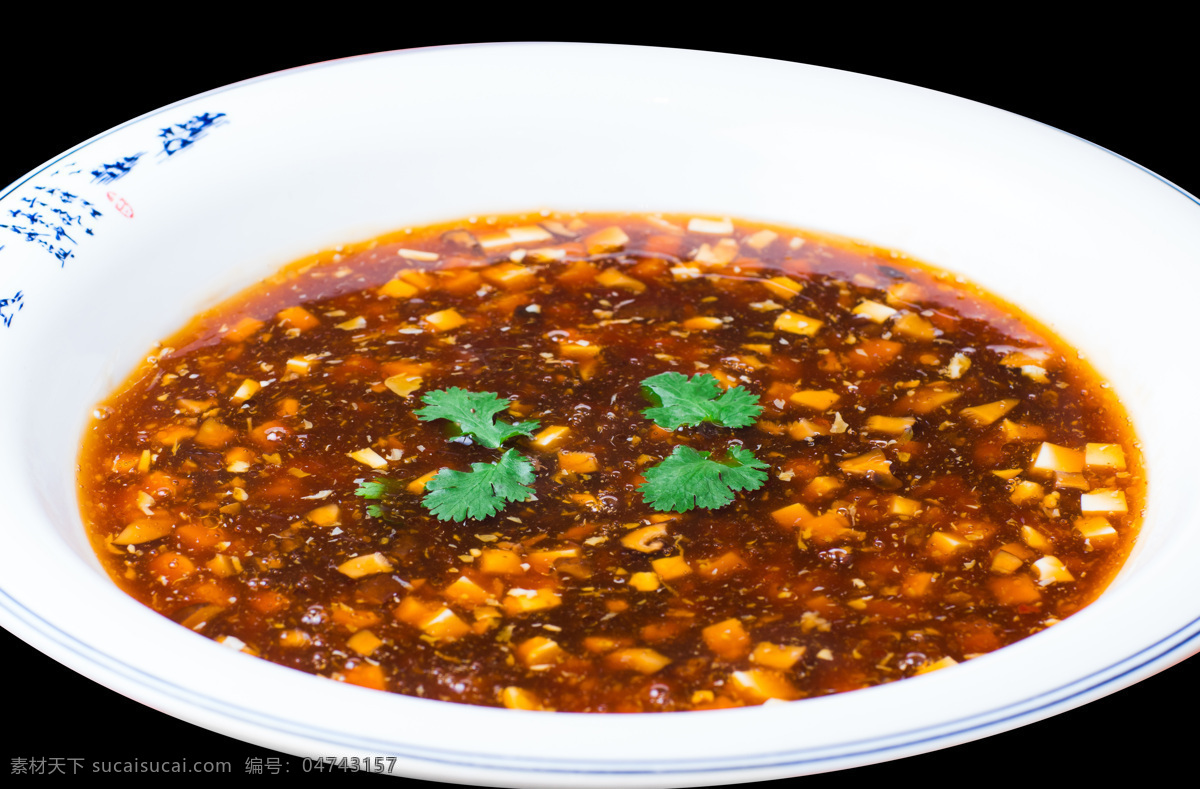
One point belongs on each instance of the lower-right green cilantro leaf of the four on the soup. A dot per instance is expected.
(689, 479)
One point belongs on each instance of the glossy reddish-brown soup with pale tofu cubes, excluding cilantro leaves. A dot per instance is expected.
(943, 473)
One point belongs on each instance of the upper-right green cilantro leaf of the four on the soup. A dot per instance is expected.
(681, 401)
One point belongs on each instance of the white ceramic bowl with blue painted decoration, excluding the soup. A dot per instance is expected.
(233, 184)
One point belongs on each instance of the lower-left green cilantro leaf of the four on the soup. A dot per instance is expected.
(482, 492)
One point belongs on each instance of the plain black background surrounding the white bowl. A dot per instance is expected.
(1127, 88)
